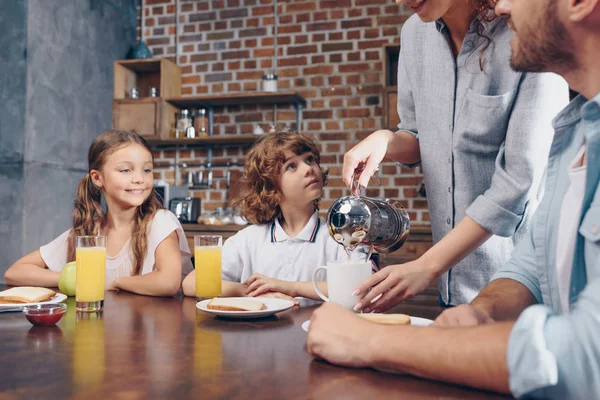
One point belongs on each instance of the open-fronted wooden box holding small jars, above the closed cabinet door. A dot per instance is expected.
(160, 73)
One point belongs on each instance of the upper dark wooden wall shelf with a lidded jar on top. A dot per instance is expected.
(289, 97)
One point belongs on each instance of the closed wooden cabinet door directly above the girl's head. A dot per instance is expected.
(141, 116)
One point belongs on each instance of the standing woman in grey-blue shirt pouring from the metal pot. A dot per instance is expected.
(480, 132)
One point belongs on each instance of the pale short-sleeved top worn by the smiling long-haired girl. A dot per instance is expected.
(54, 253)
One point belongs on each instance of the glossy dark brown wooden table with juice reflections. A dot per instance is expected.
(144, 347)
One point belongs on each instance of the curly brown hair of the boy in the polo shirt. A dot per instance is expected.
(260, 199)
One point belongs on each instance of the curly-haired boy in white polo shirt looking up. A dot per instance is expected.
(276, 256)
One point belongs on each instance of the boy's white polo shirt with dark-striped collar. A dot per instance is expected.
(268, 250)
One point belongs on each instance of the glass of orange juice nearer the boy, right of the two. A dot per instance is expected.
(207, 254)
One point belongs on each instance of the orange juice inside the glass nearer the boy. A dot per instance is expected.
(208, 271)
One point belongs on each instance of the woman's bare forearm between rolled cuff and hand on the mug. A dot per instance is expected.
(456, 245)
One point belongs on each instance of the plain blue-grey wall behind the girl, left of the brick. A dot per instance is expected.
(58, 56)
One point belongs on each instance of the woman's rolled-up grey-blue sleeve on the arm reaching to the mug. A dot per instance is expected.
(519, 164)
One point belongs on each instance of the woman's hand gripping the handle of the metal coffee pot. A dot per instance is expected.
(370, 152)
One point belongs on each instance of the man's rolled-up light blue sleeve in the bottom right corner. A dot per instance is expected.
(554, 356)
